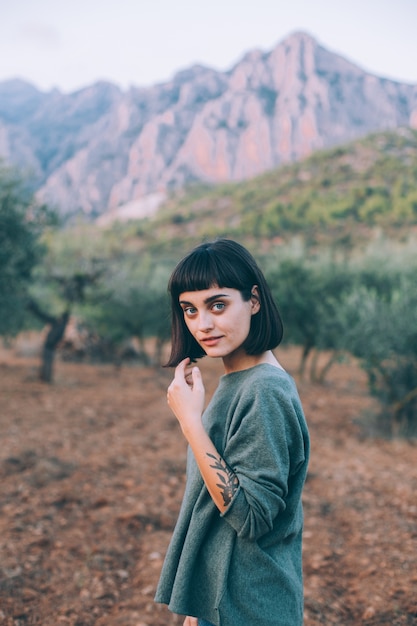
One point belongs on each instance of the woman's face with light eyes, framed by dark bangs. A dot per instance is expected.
(219, 320)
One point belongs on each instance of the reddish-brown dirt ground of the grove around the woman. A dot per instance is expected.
(92, 474)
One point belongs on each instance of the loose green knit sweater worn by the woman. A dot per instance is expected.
(243, 567)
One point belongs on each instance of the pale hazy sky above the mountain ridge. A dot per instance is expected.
(70, 44)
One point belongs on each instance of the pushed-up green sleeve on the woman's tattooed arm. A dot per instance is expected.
(265, 448)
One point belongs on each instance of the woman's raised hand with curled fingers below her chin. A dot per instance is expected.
(186, 396)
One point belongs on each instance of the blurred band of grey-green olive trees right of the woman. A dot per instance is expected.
(364, 306)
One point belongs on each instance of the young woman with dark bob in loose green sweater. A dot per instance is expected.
(235, 555)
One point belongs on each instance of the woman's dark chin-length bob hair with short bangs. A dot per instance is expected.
(222, 263)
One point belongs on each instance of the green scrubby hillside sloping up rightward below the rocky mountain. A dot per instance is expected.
(336, 194)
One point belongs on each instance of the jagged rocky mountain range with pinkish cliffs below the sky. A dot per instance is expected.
(96, 150)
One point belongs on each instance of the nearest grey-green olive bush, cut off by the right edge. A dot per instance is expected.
(383, 336)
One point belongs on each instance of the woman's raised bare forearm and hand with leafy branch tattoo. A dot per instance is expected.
(186, 399)
